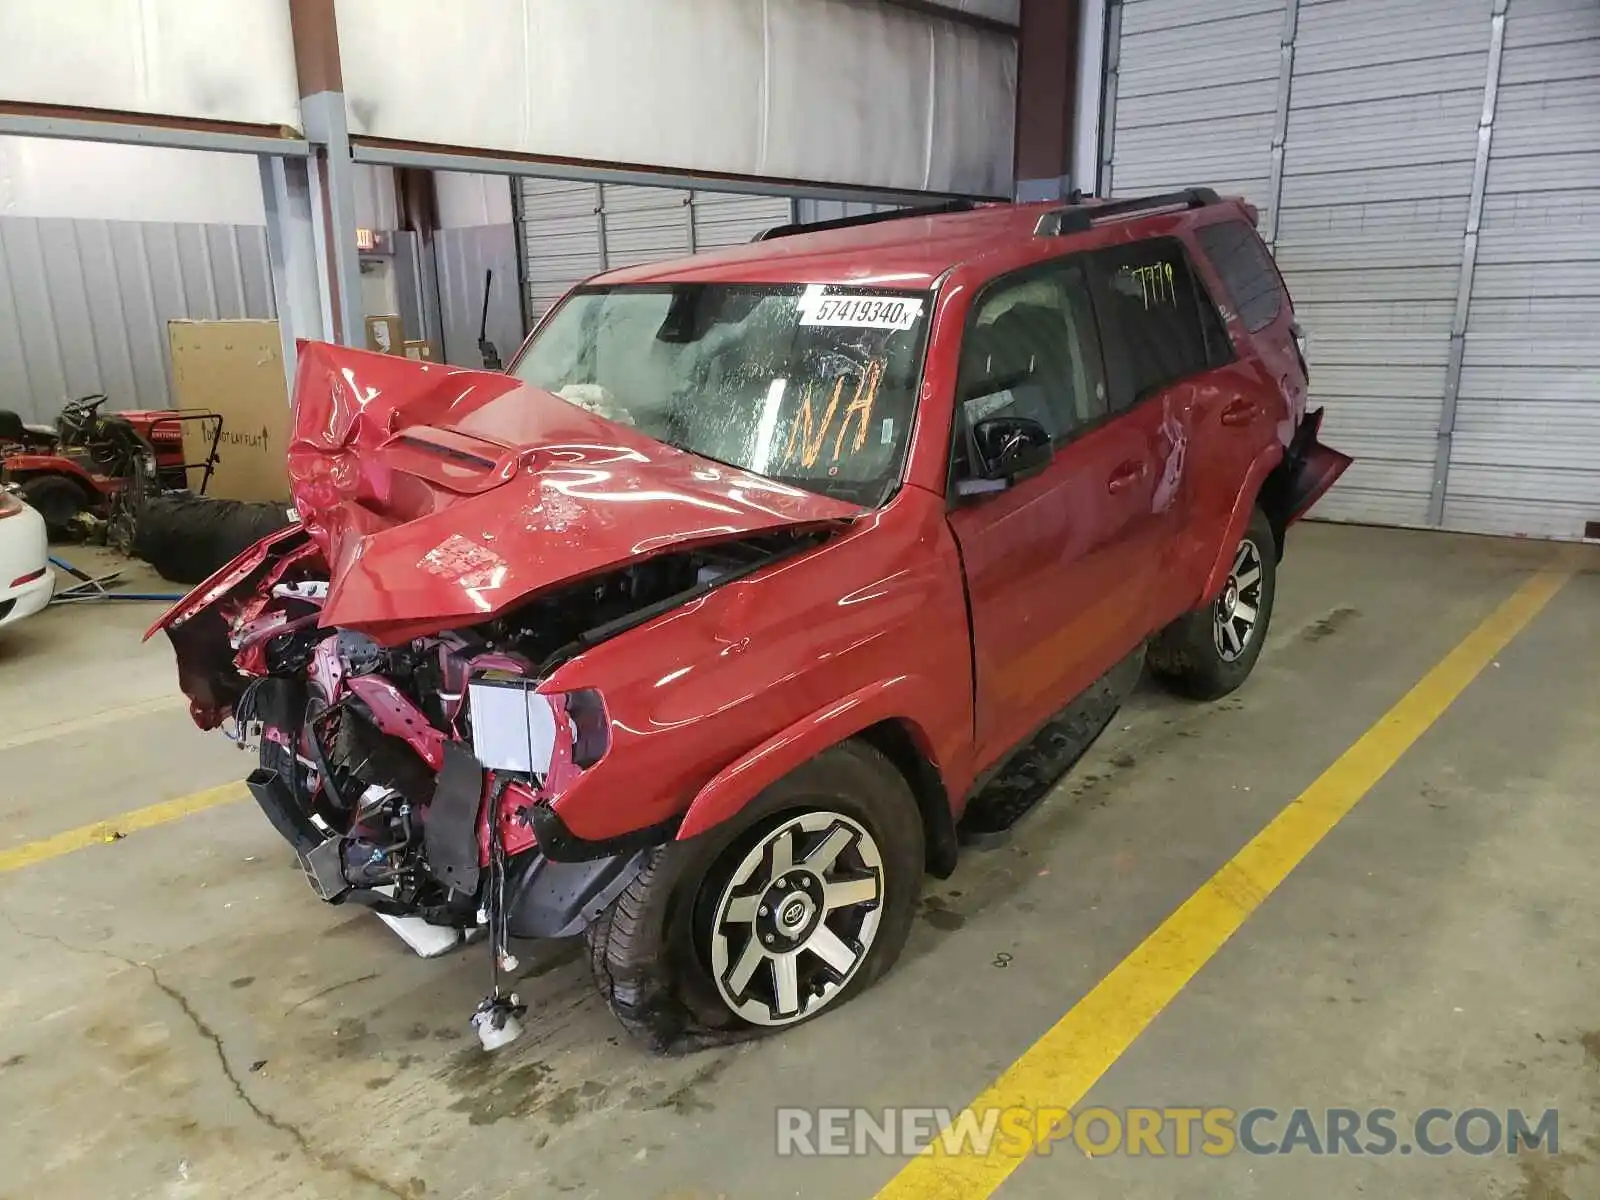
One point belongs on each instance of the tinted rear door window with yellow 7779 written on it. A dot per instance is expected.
(1151, 310)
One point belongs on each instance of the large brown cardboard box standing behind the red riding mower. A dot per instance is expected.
(236, 369)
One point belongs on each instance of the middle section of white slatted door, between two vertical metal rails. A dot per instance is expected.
(1377, 180)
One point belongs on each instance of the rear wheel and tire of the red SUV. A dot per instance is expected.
(1210, 652)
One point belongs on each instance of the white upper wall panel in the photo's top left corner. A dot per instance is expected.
(185, 58)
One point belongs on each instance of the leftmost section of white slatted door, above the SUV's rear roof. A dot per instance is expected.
(1196, 95)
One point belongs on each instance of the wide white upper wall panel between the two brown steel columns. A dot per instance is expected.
(817, 90)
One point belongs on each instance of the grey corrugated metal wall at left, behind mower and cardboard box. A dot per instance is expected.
(84, 305)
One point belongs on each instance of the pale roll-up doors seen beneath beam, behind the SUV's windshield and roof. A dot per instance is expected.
(572, 231)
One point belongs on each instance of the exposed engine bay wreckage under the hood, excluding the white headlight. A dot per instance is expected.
(356, 735)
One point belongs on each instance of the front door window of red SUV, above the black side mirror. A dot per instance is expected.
(1033, 353)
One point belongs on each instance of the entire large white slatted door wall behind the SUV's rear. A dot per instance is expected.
(1457, 364)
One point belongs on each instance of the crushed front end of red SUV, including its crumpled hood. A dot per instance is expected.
(390, 657)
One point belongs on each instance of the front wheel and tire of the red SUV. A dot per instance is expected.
(785, 913)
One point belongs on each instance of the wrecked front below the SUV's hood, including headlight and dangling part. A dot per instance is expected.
(418, 778)
